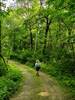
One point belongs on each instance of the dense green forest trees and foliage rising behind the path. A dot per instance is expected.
(40, 29)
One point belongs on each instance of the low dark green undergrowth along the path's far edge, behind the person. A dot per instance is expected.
(27, 56)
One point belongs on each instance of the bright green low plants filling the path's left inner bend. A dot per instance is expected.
(10, 82)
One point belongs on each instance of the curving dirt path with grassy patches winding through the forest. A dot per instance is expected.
(33, 87)
